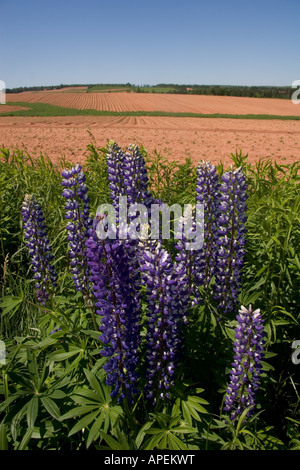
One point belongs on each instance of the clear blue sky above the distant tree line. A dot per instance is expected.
(167, 41)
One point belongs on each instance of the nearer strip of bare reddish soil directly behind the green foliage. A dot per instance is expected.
(176, 138)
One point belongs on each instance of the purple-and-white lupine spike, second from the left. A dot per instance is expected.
(77, 213)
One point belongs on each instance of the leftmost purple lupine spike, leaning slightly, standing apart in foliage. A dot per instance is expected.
(39, 247)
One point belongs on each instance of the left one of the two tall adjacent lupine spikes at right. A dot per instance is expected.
(207, 194)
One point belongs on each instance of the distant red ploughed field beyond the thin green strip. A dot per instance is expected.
(160, 102)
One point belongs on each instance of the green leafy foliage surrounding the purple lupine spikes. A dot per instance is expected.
(53, 387)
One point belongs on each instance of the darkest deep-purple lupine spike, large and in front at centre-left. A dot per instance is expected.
(118, 303)
